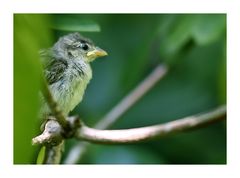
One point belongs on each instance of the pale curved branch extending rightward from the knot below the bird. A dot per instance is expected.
(150, 132)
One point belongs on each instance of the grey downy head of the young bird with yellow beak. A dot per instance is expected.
(75, 46)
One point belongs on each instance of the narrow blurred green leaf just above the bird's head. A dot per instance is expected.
(74, 24)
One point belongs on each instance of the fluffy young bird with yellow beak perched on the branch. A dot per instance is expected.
(66, 67)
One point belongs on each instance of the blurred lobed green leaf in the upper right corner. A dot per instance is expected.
(177, 34)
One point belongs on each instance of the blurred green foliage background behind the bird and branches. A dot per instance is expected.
(192, 45)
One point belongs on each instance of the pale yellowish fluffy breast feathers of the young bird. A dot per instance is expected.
(68, 91)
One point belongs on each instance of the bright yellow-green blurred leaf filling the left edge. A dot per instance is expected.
(30, 35)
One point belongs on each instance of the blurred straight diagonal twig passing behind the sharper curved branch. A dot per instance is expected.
(158, 73)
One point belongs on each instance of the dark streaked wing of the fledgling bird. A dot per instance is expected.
(54, 70)
